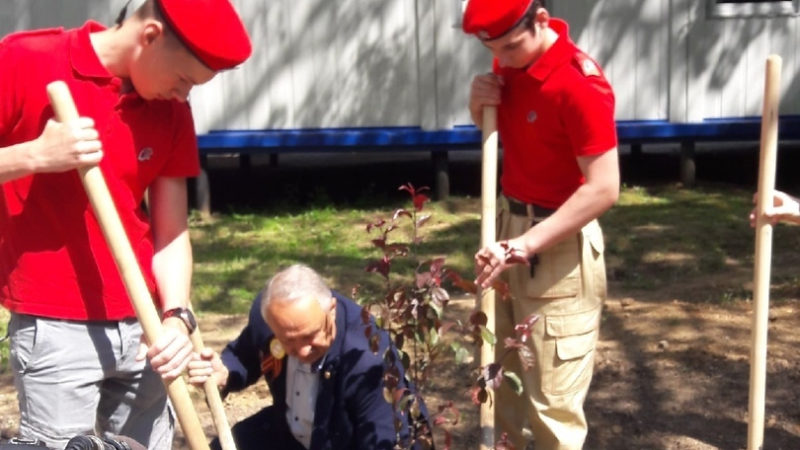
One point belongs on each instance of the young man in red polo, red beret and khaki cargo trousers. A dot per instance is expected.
(559, 174)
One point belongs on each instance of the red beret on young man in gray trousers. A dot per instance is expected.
(211, 29)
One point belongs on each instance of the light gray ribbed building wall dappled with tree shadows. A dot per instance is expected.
(344, 63)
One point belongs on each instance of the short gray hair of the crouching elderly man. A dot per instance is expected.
(296, 282)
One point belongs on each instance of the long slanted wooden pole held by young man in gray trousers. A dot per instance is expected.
(110, 223)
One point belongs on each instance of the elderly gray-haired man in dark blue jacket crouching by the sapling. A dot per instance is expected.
(327, 384)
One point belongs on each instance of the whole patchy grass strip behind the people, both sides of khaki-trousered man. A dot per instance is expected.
(662, 242)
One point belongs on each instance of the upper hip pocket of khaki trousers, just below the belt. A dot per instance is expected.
(557, 273)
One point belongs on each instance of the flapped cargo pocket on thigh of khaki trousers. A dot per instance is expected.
(570, 340)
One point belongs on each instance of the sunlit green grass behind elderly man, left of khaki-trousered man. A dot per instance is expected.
(236, 253)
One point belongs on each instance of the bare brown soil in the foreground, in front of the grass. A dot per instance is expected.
(669, 375)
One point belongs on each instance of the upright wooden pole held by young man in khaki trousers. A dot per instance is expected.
(488, 236)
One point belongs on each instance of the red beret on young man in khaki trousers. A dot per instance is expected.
(490, 19)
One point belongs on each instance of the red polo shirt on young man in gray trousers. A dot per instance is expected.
(54, 261)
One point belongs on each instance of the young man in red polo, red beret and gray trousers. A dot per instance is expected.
(75, 341)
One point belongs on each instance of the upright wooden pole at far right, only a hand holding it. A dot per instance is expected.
(763, 253)
